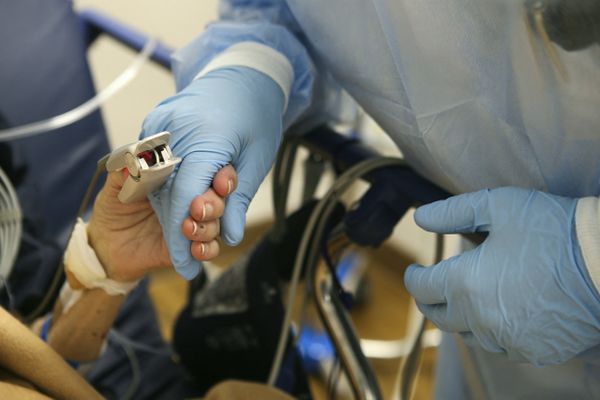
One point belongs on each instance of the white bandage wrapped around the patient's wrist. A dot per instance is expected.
(81, 261)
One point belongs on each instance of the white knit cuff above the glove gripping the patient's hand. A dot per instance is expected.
(258, 57)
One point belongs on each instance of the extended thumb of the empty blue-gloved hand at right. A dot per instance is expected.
(459, 214)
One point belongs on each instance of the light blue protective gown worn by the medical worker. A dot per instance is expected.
(472, 98)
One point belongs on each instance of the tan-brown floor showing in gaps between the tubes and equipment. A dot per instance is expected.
(381, 317)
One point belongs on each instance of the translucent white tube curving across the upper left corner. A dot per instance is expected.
(86, 108)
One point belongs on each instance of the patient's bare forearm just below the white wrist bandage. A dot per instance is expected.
(78, 334)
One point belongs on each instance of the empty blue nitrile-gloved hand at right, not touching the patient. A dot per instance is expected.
(525, 290)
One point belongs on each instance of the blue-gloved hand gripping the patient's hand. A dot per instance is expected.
(231, 115)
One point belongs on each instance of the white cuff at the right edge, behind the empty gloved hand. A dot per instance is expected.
(587, 222)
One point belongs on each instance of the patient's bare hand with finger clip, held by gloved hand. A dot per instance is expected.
(128, 238)
